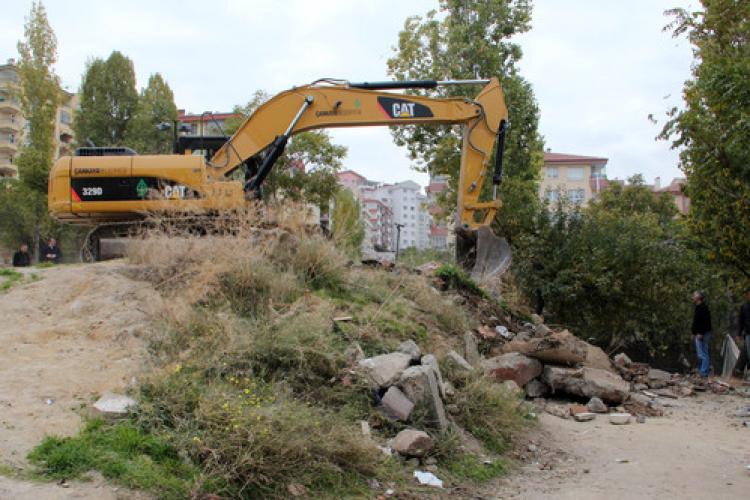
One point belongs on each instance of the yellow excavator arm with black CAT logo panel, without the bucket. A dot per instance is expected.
(329, 105)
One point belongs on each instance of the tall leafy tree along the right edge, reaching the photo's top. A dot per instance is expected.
(713, 129)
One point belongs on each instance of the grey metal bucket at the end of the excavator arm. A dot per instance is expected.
(482, 253)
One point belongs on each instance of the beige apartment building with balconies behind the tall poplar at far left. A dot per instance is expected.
(13, 125)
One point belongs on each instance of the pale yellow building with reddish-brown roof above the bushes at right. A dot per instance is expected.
(579, 179)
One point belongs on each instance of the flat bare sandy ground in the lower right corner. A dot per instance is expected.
(699, 450)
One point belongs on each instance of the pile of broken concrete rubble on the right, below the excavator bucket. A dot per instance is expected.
(549, 363)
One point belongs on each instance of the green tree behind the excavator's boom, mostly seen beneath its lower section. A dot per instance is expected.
(307, 169)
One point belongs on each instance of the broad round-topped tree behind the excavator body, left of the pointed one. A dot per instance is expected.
(108, 101)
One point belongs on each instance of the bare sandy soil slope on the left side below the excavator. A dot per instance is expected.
(66, 338)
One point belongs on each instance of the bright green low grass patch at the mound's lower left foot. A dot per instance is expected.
(121, 452)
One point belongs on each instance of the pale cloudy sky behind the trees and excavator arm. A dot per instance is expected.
(598, 67)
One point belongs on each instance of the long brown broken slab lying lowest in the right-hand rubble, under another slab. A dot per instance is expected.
(587, 382)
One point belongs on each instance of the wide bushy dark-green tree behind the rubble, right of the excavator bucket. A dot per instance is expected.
(619, 272)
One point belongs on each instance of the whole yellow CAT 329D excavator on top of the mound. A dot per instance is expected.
(114, 189)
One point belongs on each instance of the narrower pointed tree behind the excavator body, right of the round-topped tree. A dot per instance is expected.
(155, 106)
